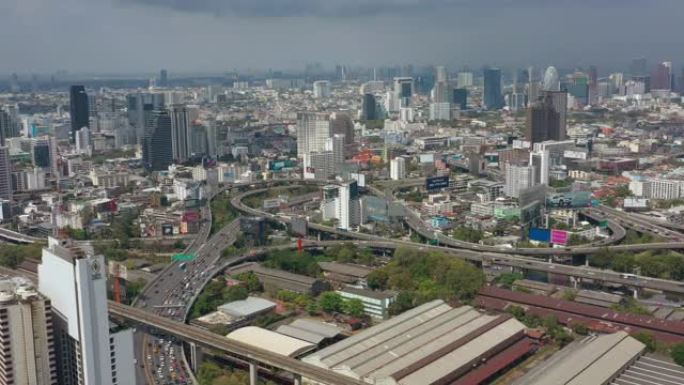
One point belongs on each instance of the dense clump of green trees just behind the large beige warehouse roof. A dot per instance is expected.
(424, 276)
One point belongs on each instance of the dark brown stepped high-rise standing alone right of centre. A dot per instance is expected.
(543, 121)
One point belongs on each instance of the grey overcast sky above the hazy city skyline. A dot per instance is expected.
(127, 36)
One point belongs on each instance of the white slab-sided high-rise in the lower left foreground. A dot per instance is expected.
(89, 352)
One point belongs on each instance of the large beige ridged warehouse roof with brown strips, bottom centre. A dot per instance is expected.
(428, 344)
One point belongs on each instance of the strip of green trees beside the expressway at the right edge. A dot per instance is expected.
(652, 263)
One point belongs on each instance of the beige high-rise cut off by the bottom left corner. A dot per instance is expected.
(28, 356)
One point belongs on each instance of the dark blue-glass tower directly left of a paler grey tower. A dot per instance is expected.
(157, 142)
